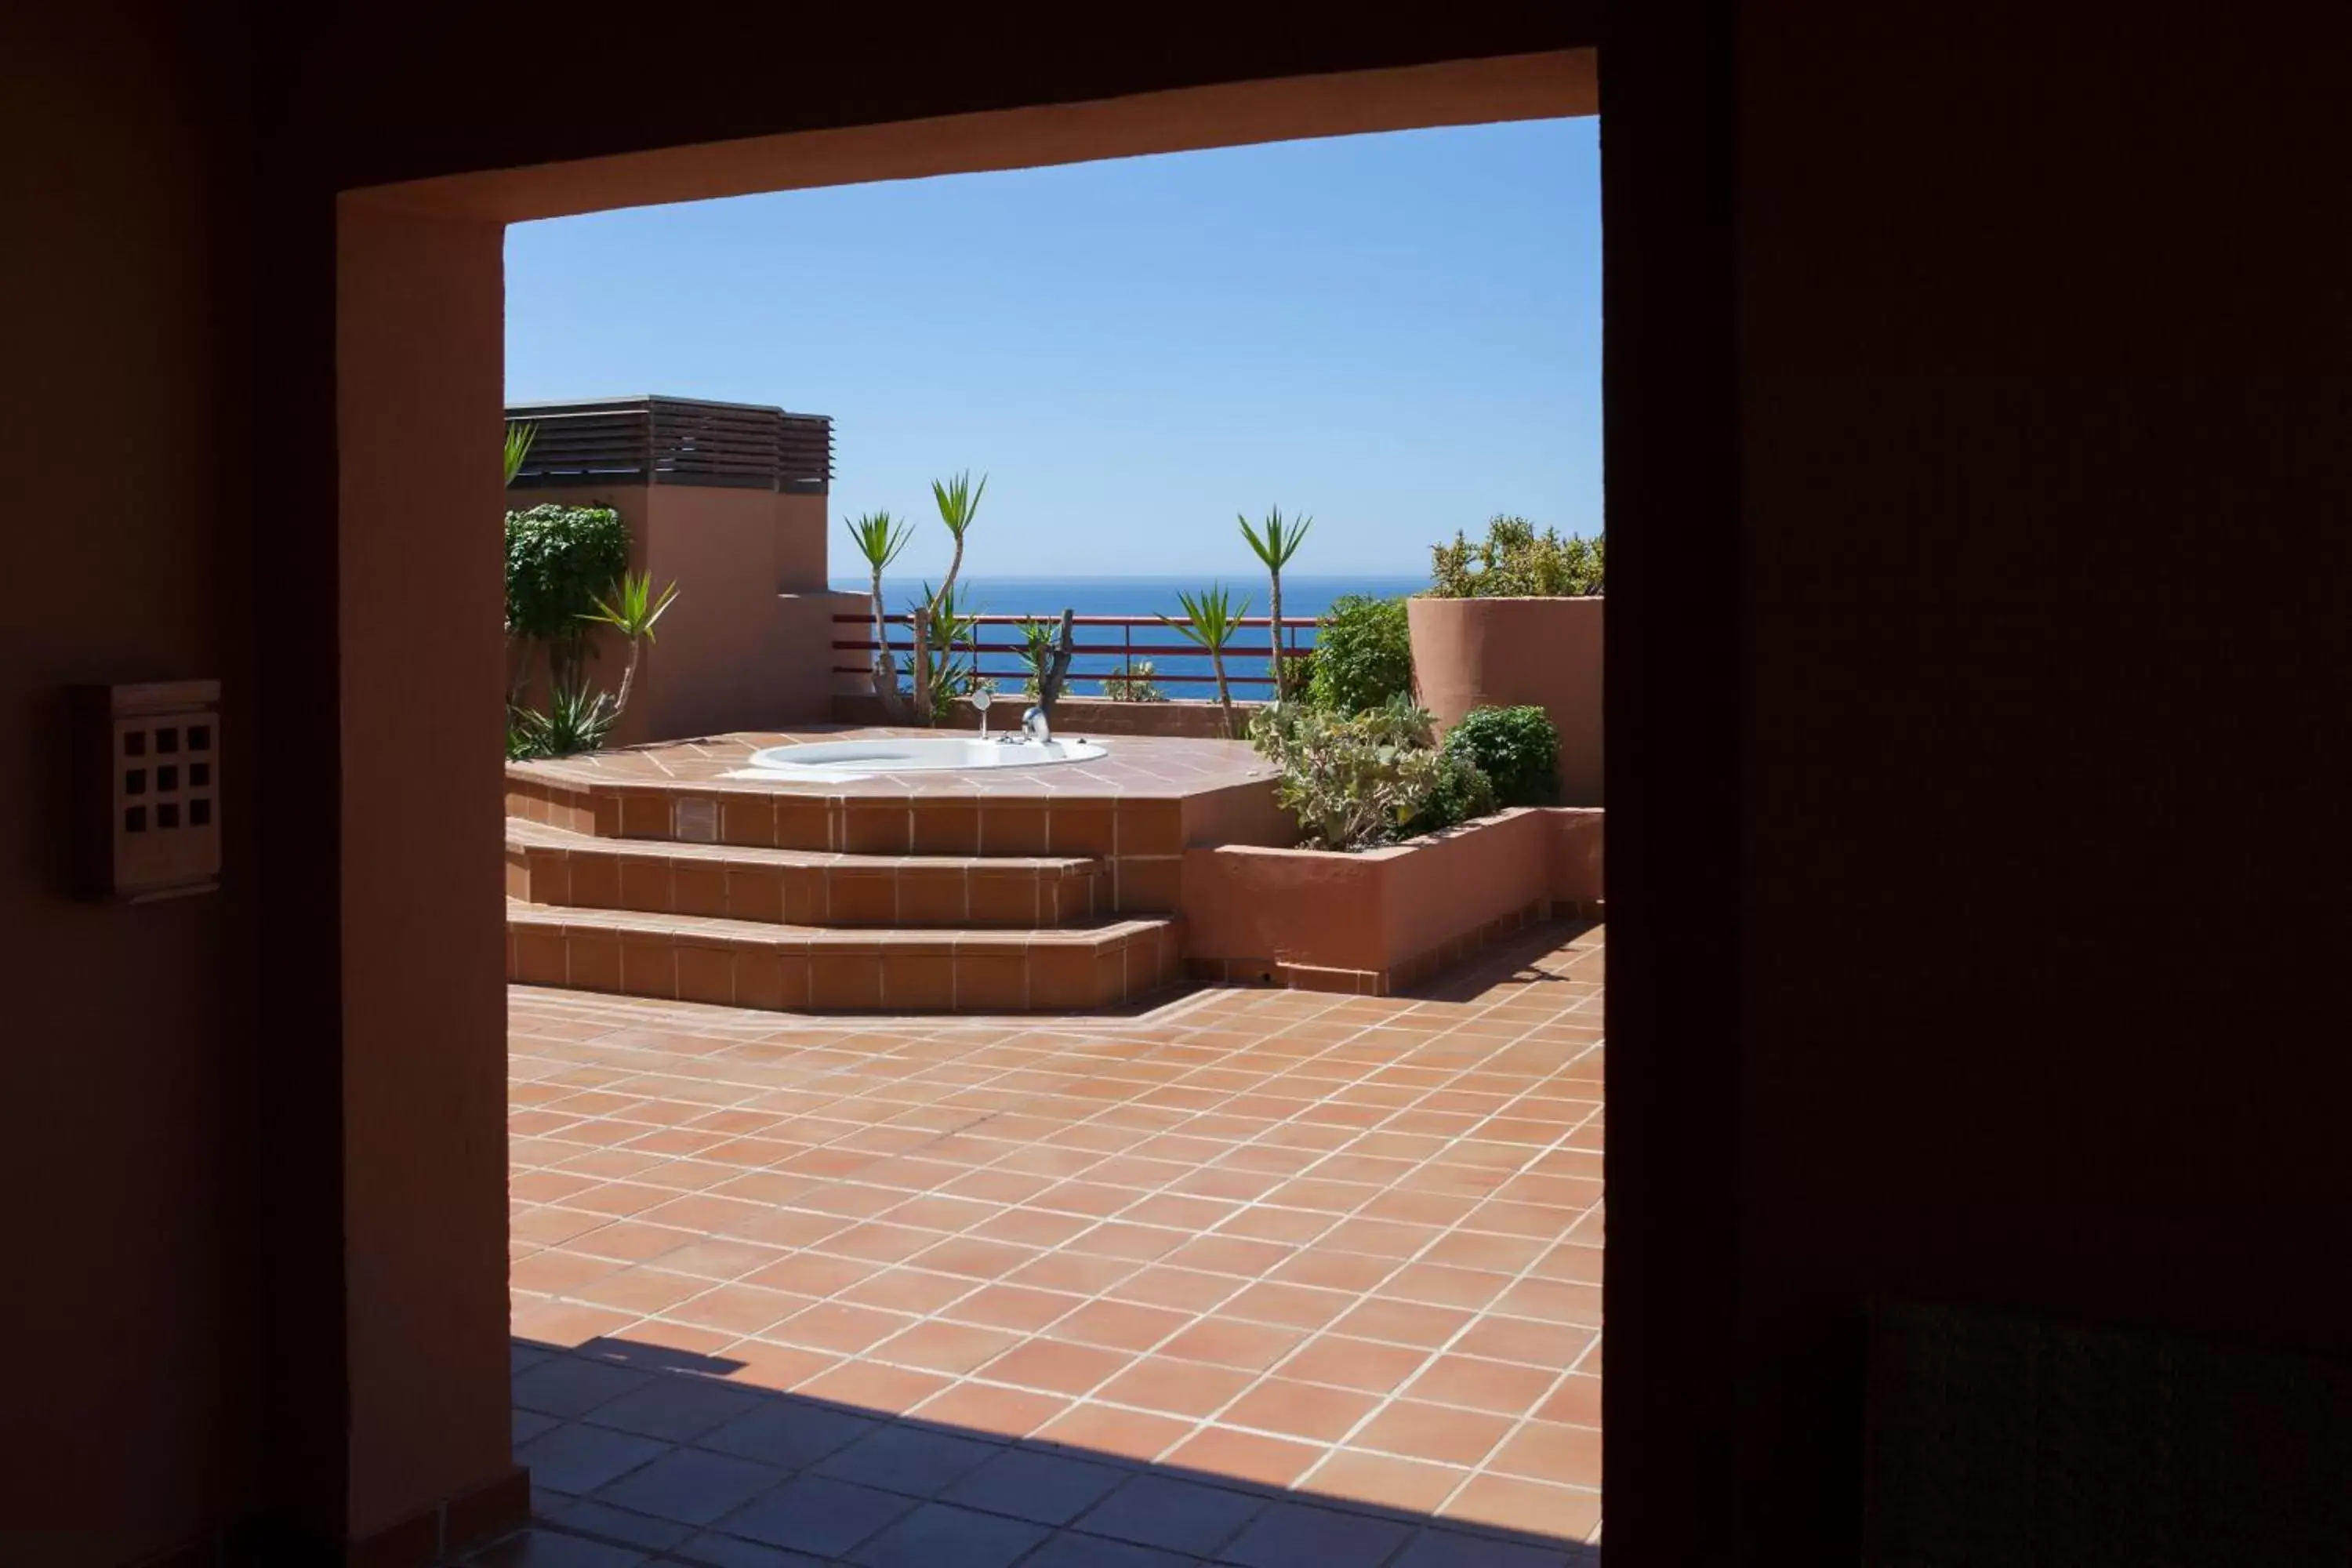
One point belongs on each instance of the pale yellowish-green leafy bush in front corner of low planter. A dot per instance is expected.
(1351, 779)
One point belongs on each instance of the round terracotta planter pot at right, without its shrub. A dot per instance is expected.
(1509, 652)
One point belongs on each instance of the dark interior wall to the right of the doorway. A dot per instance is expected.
(2045, 497)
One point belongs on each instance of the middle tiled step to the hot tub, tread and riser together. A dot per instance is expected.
(801, 887)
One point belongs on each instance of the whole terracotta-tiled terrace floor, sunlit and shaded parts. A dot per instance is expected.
(1257, 1278)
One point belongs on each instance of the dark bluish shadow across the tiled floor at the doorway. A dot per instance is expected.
(646, 1456)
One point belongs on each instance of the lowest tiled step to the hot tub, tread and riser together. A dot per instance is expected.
(740, 963)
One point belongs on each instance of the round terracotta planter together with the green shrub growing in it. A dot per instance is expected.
(1516, 619)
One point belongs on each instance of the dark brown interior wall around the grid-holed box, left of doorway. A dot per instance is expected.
(128, 1047)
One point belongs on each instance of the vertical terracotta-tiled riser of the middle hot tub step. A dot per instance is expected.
(984, 897)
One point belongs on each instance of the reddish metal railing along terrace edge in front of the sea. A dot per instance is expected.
(1248, 659)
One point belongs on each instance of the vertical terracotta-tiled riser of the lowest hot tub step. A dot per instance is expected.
(667, 967)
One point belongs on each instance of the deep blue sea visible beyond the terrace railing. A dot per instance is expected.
(1137, 596)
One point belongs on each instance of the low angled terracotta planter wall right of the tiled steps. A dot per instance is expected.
(1382, 920)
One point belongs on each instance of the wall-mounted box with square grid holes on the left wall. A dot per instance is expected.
(149, 777)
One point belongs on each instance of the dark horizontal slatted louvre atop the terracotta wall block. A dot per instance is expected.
(676, 441)
